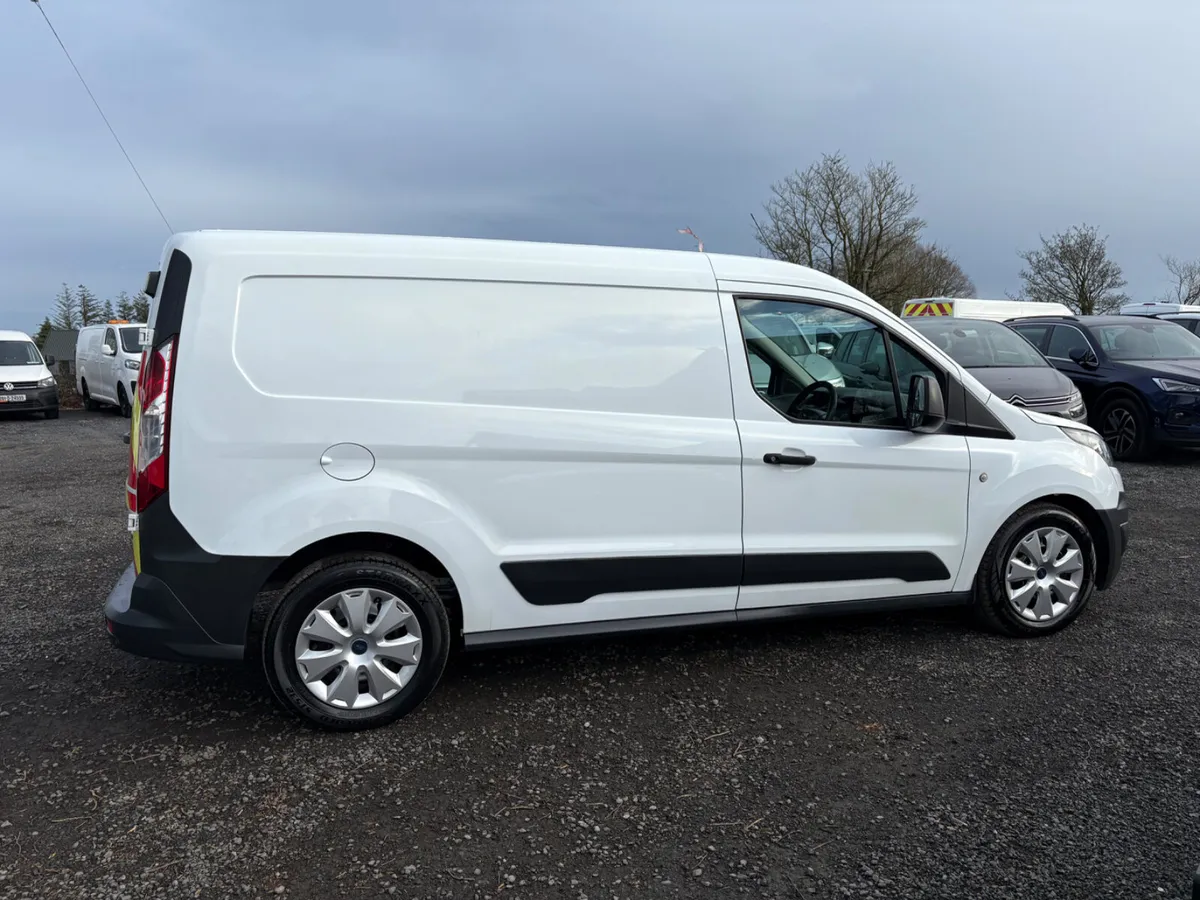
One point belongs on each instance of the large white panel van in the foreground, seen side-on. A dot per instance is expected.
(490, 443)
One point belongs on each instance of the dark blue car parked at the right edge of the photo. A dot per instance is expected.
(1141, 377)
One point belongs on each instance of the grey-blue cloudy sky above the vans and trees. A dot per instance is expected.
(611, 123)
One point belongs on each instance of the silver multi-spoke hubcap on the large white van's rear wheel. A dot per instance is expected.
(358, 649)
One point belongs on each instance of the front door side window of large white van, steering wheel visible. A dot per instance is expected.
(806, 376)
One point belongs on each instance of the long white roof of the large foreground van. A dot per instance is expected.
(663, 268)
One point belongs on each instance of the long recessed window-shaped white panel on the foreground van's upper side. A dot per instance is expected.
(536, 346)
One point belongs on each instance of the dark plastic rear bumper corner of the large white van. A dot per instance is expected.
(145, 617)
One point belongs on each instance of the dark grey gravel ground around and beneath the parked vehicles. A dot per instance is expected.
(902, 757)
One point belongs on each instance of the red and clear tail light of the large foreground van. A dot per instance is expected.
(148, 454)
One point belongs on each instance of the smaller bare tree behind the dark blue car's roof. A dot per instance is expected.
(1073, 268)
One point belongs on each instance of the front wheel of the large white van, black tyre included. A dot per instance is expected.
(993, 603)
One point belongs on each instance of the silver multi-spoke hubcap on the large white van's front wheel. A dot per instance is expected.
(1045, 575)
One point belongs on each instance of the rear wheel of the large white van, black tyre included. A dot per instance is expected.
(323, 586)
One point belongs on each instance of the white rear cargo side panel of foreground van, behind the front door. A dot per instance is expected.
(509, 423)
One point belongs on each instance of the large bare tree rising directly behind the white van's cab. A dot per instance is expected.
(859, 227)
